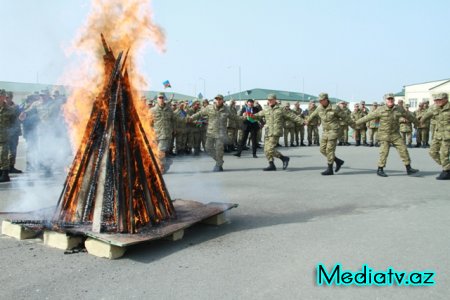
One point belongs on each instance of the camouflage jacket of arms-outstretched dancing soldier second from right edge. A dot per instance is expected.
(389, 121)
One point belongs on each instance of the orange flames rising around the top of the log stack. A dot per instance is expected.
(125, 25)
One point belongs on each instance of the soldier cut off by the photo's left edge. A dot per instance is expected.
(6, 121)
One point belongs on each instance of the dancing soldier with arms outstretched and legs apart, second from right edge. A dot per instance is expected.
(389, 132)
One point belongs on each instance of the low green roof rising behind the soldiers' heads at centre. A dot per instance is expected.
(261, 94)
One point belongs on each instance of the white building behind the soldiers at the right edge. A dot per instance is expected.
(419, 92)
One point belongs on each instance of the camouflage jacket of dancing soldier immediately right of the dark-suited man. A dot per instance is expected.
(276, 117)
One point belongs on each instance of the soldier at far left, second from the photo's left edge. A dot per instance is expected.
(14, 132)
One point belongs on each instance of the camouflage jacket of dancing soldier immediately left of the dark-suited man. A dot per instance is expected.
(217, 119)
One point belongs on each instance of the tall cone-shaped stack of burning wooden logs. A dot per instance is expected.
(114, 183)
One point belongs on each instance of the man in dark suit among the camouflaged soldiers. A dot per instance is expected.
(250, 125)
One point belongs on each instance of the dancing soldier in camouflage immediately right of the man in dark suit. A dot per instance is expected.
(275, 117)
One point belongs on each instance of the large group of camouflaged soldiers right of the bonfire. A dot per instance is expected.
(386, 125)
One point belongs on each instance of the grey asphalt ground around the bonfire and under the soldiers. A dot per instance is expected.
(286, 224)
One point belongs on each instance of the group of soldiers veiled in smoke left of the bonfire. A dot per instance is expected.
(39, 119)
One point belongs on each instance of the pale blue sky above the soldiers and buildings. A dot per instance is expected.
(351, 49)
